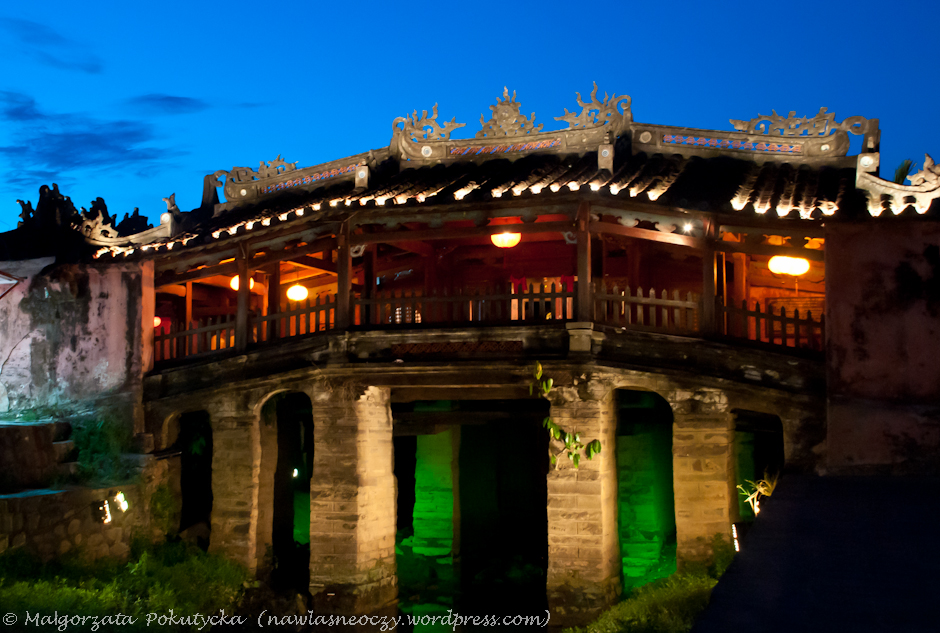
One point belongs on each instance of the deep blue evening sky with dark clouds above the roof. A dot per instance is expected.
(133, 102)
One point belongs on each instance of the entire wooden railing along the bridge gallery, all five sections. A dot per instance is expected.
(505, 304)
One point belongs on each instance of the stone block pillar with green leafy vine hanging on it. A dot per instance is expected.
(583, 547)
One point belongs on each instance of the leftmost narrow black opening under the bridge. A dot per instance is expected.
(195, 444)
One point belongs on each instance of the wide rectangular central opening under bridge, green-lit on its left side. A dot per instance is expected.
(472, 480)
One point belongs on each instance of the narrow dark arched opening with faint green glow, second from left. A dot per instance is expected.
(290, 534)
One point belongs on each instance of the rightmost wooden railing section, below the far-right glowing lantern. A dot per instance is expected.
(791, 330)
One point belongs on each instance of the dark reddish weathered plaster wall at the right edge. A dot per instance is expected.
(883, 322)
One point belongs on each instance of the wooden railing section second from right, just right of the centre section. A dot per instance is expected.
(621, 308)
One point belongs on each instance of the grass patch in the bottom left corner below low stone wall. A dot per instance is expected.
(158, 578)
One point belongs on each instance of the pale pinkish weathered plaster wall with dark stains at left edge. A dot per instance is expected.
(71, 335)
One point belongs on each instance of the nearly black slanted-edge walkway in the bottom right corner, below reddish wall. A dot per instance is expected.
(836, 554)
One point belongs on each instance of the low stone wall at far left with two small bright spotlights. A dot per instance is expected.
(51, 523)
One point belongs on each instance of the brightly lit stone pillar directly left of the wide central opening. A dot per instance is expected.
(352, 500)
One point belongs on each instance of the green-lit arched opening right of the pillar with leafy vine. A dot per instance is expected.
(646, 497)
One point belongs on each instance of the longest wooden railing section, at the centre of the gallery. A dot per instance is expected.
(501, 304)
